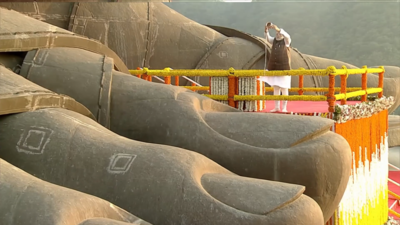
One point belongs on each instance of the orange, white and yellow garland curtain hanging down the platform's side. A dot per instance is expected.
(365, 198)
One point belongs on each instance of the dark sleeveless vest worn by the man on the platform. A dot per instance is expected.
(280, 56)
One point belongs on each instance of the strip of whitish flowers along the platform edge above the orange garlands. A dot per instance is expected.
(344, 113)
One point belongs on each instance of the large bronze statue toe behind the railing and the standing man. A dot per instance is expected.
(152, 35)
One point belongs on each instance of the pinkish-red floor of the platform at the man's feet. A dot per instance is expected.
(304, 106)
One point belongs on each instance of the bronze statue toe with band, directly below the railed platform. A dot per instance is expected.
(267, 146)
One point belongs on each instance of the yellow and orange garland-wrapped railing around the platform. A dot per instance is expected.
(233, 76)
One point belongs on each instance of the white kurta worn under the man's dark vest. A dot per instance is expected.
(280, 81)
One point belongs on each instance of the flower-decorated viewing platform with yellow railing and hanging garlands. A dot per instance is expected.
(363, 123)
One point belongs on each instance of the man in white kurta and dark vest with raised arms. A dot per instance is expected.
(279, 60)
